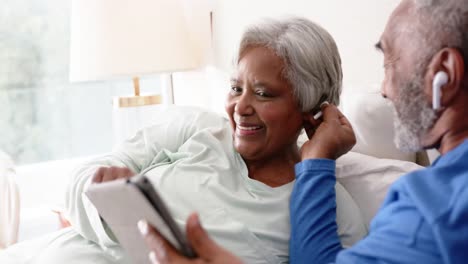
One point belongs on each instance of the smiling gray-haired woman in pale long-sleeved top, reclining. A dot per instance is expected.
(237, 174)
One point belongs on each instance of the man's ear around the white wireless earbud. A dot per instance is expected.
(450, 61)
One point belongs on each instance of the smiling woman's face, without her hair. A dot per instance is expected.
(264, 114)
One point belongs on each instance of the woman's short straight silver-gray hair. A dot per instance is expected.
(311, 58)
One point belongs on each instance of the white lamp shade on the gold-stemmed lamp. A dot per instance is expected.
(111, 38)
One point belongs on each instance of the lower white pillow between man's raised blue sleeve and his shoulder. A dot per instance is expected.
(367, 179)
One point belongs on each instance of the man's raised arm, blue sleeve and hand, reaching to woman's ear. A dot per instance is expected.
(314, 236)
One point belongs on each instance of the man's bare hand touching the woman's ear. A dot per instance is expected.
(331, 138)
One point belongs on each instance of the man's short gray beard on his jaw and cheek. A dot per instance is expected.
(413, 116)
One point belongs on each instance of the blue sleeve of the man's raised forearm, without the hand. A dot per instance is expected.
(314, 236)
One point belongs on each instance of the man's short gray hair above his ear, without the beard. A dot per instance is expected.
(441, 23)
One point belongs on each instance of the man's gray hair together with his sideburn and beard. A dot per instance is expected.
(437, 24)
